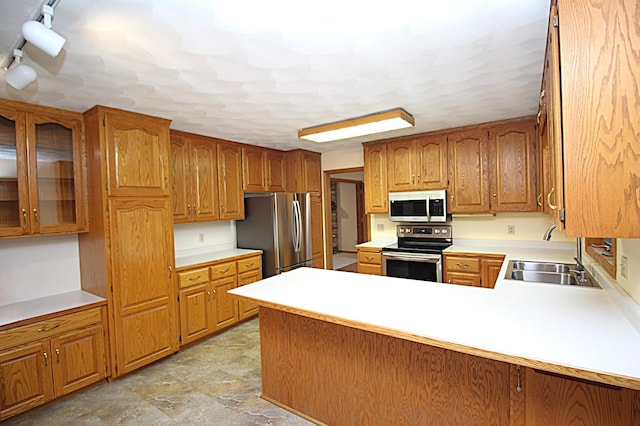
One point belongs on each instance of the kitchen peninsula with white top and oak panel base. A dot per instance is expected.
(344, 348)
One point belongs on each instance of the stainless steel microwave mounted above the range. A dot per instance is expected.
(418, 206)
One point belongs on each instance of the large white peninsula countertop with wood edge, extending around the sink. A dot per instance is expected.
(579, 329)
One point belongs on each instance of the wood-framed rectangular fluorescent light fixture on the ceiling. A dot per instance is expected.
(378, 122)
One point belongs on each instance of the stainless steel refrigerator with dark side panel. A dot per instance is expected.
(279, 224)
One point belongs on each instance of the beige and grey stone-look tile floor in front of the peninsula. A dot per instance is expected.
(214, 382)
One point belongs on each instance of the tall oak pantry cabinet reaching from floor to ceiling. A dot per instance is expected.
(127, 256)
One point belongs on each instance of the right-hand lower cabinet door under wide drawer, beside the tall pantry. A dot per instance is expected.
(78, 359)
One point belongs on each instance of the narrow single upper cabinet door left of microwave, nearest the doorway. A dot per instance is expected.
(375, 178)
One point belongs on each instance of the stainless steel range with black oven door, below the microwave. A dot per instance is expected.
(418, 253)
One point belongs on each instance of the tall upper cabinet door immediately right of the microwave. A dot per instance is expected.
(468, 171)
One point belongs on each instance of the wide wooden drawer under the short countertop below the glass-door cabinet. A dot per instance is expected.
(47, 328)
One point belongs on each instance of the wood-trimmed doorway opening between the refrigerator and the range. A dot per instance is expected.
(346, 223)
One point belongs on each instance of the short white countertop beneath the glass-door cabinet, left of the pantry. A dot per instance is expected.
(35, 308)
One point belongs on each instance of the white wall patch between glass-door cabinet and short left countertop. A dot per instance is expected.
(33, 267)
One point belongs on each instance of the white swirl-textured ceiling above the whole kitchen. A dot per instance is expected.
(257, 71)
